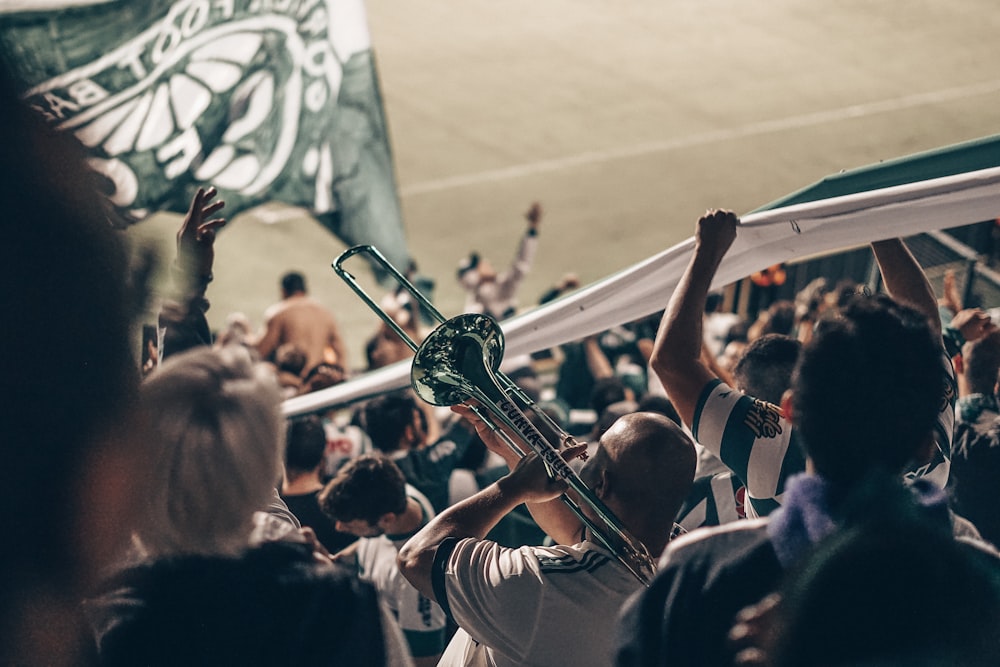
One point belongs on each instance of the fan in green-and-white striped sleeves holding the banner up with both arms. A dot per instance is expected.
(750, 435)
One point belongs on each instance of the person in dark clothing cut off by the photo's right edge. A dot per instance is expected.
(975, 451)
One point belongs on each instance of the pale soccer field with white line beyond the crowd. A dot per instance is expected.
(626, 120)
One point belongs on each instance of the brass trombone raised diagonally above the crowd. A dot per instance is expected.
(460, 360)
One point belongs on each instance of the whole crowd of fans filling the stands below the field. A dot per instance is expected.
(812, 487)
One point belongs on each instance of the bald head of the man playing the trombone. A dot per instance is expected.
(643, 470)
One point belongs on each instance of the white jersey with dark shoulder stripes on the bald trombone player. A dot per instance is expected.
(530, 606)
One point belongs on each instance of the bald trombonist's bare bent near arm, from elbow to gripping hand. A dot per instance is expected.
(476, 516)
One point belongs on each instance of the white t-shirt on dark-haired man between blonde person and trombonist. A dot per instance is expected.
(422, 621)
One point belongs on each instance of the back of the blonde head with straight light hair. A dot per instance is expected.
(215, 446)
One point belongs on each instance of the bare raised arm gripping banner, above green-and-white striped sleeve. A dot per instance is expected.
(676, 358)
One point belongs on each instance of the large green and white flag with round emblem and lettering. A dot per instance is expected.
(268, 100)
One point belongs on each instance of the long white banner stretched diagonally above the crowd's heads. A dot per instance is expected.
(764, 239)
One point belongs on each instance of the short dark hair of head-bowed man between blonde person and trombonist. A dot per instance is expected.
(366, 488)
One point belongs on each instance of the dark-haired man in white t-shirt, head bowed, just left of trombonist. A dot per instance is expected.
(370, 499)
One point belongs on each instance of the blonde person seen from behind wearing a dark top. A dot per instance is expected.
(206, 588)
